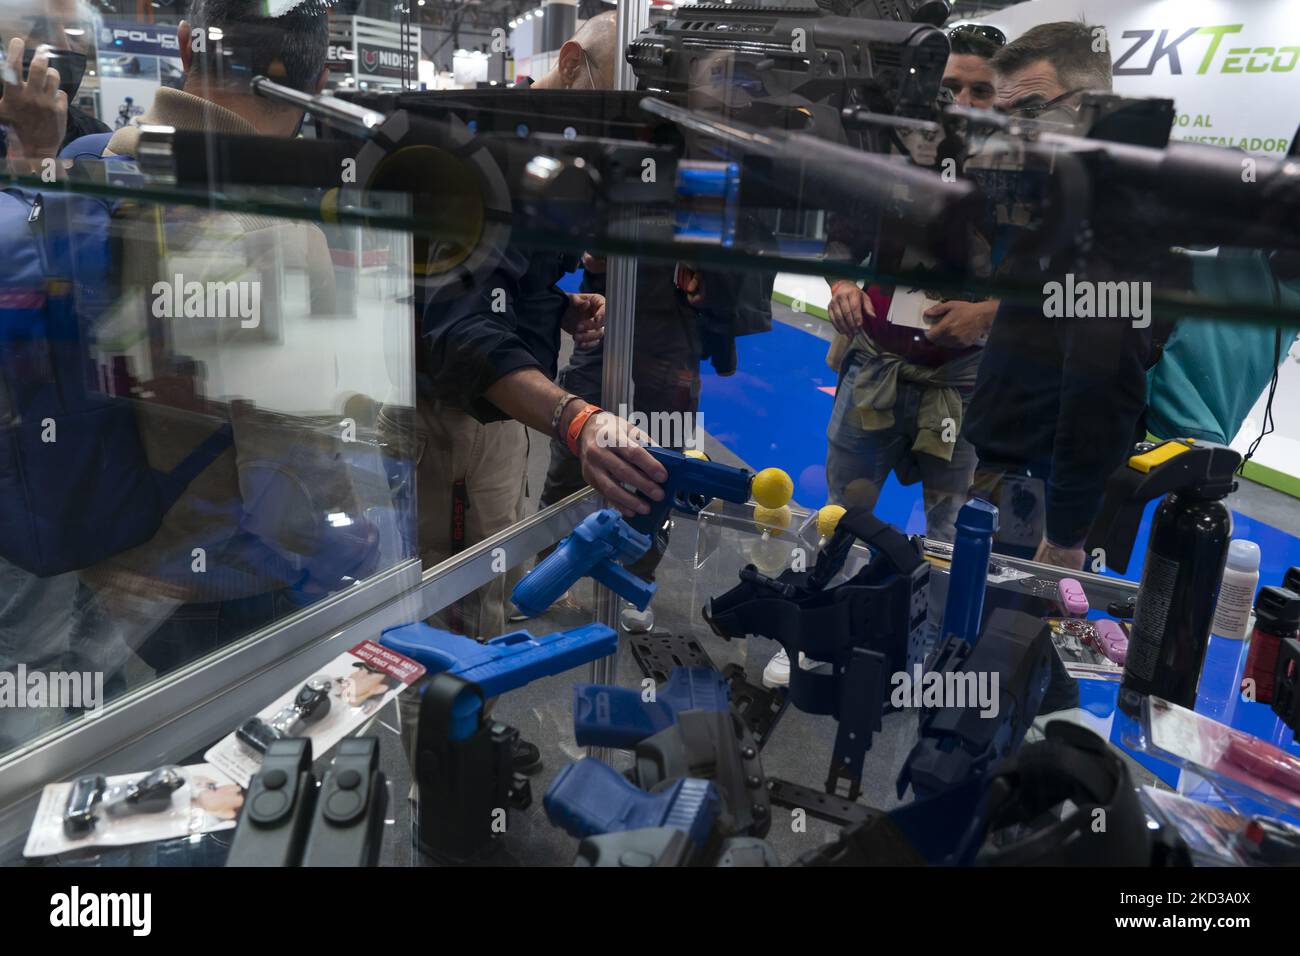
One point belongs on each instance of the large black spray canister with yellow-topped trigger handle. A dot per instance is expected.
(1186, 553)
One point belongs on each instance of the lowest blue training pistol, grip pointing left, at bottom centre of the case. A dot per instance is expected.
(591, 798)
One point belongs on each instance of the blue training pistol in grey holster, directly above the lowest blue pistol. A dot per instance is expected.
(619, 717)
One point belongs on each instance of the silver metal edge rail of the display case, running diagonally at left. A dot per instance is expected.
(189, 711)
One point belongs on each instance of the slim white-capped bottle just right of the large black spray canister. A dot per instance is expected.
(1223, 665)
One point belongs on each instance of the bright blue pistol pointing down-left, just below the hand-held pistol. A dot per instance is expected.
(597, 548)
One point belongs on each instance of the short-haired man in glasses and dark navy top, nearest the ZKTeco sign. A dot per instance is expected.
(1058, 401)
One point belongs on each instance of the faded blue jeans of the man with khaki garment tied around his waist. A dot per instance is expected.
(859, 462)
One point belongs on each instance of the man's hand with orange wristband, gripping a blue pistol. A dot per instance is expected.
(612, 455)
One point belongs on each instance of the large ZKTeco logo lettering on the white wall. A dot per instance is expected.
(1199, 50)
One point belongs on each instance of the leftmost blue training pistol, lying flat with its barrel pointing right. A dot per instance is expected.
(502, 664)
